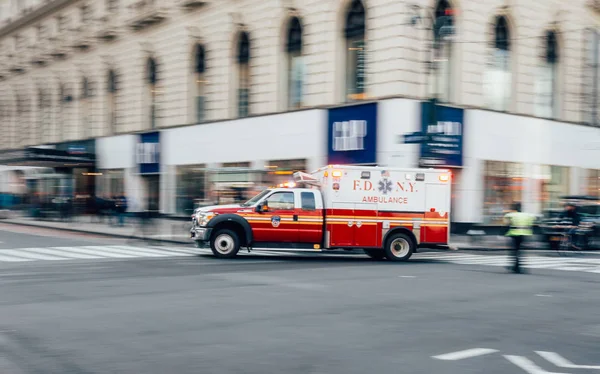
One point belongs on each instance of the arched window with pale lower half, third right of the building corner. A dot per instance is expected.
(547, 83)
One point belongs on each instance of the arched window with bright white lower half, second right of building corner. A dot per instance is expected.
(498, 75)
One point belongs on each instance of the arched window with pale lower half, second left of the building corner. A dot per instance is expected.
(295, 64)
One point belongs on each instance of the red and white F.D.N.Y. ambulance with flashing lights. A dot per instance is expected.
(387, 212)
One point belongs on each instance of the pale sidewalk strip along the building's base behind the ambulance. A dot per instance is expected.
(176, 231)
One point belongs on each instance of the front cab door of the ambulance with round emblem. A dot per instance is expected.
(277, 224)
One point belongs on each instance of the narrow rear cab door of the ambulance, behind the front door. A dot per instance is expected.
(309, 209)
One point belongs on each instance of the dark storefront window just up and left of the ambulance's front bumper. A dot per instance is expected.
(191, 188)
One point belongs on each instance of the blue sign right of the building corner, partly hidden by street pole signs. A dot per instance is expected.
(443, 143)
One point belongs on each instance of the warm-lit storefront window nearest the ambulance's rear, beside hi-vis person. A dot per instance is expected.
(504, 184)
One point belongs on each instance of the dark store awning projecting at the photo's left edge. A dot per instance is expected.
(46, 157)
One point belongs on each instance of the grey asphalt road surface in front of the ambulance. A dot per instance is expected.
(284, 314)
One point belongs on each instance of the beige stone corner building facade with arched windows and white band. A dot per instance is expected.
(249, 84)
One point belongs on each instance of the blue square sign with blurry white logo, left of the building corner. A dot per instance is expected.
(352, 134)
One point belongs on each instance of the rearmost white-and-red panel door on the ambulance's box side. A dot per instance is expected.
(437, 206)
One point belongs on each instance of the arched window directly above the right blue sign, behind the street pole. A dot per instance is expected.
(443, 30)
